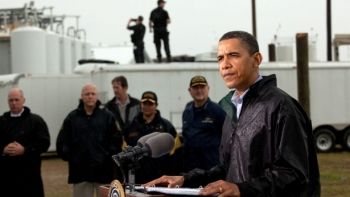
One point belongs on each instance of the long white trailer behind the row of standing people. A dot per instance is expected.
(53, 96)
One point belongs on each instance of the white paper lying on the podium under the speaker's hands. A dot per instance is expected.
(171, 191)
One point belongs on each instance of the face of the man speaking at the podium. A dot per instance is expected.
(238, 67)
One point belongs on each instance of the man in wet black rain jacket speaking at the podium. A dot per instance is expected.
(270, 150)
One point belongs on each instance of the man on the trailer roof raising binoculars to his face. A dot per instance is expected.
(137, 38)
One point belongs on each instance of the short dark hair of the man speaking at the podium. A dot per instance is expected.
(246, 38)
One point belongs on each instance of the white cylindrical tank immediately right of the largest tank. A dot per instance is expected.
(53, 53)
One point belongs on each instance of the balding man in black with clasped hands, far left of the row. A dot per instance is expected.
(23, 137)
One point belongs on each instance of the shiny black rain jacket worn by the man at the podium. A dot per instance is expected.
(270, 151)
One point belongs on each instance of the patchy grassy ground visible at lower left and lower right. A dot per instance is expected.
(334, 169)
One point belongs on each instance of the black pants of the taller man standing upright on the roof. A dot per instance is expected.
(160, 35)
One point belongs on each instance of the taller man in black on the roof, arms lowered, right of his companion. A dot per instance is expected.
(158, 22)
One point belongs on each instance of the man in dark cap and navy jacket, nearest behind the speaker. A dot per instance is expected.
(202, 121)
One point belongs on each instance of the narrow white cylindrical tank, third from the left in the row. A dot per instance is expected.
(66, 55)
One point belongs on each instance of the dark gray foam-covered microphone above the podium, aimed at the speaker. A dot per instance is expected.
(153, 145)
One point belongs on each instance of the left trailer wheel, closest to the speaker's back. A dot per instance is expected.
(325, 140)
